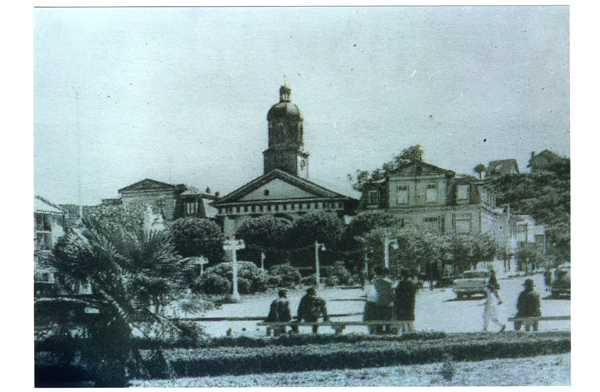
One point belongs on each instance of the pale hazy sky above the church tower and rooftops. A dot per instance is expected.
(180, 95)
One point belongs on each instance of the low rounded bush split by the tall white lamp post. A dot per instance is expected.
(251, 279)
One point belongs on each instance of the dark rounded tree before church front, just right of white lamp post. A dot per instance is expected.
(266, 234)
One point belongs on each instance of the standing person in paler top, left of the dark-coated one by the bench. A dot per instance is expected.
(379, 305)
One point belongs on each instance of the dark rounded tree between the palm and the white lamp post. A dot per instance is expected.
(198, 237)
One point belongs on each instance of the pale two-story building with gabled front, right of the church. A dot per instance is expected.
(434, 199)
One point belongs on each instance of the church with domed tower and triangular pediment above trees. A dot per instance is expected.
(284, 189)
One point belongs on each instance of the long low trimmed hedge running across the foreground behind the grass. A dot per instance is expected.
(367, 353)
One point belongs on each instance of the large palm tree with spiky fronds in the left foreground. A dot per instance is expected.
(132, 274)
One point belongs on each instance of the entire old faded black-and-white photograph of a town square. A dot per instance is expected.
(336, 196)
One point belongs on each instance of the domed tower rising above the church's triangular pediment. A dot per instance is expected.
(286, 144)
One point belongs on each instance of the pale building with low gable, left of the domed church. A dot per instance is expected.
(169, 201)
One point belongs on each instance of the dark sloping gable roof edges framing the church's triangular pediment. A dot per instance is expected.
(301, 183)
